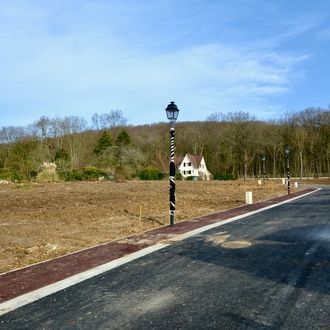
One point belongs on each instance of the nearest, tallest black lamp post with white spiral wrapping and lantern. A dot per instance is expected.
(172, 113)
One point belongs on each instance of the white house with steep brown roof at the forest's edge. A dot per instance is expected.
(195, 166)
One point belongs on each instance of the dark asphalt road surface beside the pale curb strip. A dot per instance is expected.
(267, 271)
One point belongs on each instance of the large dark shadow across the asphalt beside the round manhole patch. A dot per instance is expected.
(297, 256)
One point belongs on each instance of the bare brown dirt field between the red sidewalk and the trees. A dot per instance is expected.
(42, 221)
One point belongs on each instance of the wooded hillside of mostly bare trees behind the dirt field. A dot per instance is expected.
(235, 144)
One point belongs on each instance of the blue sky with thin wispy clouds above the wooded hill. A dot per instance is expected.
(78, 57)
